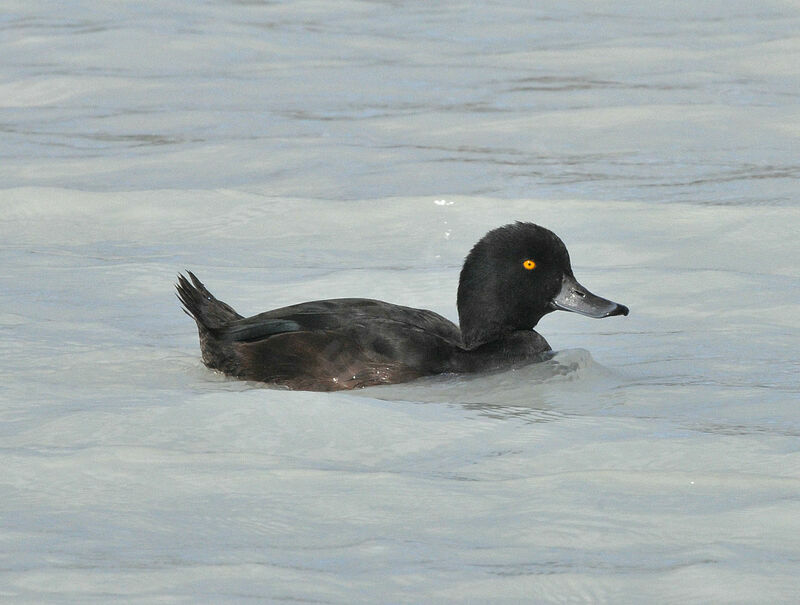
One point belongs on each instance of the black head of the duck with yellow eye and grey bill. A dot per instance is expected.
(513, 277)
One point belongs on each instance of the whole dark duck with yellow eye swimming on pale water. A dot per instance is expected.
(515, 275)
